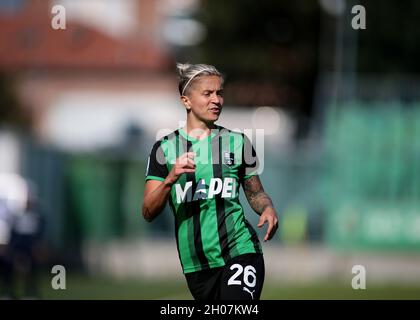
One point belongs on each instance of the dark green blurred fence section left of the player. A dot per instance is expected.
(105, 197)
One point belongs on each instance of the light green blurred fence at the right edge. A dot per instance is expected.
(372, 177)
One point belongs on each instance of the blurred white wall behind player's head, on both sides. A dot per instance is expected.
(87, 120)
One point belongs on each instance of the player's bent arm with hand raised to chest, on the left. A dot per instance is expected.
(156, 192)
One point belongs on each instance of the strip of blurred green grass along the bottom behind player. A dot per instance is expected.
(83, 287)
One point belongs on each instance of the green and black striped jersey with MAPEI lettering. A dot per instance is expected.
(210, 224)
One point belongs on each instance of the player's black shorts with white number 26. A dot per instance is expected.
(241, 278)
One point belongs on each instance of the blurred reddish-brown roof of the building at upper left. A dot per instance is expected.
(29, 41)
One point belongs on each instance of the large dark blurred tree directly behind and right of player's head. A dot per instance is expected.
(268, 50)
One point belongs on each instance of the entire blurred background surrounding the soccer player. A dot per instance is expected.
(81, 107)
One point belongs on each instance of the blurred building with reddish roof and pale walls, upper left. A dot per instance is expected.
(84, 76)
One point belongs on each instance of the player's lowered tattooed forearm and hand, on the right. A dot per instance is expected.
(261, 203)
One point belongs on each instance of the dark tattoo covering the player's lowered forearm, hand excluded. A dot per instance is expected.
(257, 198)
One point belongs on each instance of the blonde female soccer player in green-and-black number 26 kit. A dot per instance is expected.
(200, 168)
